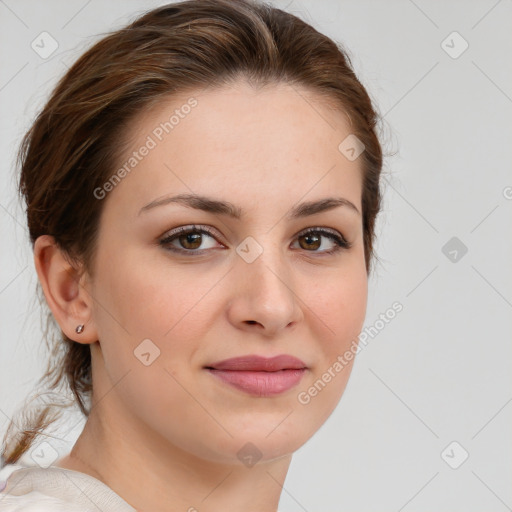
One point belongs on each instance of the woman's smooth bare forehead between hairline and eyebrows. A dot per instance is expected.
(264, 144)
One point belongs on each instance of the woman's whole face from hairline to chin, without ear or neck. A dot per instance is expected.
(168, 308)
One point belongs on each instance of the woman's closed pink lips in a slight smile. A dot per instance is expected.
(258, 375)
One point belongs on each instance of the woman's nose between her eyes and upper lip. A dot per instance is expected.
(263, 295)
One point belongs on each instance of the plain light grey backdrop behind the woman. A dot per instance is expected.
(425, 421)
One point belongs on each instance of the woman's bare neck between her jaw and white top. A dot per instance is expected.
(152, 474)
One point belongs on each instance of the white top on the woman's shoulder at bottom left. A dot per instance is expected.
(54, 489)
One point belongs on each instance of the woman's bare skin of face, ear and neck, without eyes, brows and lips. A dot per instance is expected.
(166, 436)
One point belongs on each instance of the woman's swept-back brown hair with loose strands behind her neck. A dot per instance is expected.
(76, 141)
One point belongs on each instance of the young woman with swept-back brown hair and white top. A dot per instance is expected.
(201, 189)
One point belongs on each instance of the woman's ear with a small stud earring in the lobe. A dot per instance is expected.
(65, 290)
